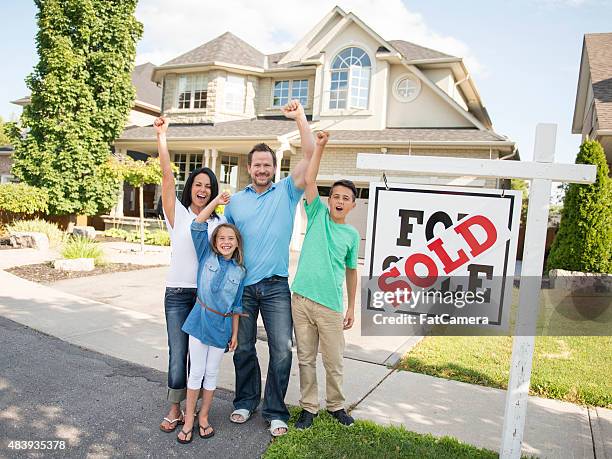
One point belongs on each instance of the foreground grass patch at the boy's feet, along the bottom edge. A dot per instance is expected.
(328, 439)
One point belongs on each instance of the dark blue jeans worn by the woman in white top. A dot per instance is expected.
(178, 303)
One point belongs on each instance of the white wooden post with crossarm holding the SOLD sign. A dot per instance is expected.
(541, 172)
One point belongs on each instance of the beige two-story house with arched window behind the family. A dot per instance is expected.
(373, 95)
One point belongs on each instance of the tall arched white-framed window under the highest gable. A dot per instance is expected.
(357, 94)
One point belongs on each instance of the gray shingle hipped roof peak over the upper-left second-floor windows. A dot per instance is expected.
(225, 48)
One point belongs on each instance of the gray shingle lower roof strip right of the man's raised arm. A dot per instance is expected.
(415, 135)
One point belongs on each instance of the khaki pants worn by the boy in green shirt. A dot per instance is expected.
(317, 326)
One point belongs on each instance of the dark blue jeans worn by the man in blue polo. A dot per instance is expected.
(272, 297)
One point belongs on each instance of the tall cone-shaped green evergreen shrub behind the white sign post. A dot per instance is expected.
(584, 240)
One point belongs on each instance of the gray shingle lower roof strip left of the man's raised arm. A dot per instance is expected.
(242, 128)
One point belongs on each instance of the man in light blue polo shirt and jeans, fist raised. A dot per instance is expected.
(264, 213)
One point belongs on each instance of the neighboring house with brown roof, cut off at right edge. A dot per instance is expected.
(593, 108)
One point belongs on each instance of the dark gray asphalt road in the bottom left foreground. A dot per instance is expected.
(100, 406)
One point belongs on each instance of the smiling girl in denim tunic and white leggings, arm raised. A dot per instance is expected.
(212, 324)
